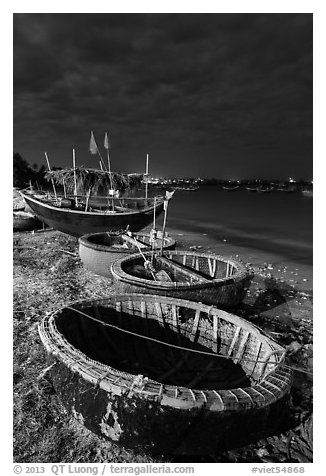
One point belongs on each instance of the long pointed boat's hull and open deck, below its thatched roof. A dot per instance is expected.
(102, 213)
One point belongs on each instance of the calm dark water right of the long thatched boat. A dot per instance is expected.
(278, 222)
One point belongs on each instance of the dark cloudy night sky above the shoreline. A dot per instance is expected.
(213, 95)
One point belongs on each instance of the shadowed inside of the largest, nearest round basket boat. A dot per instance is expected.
(170, 344)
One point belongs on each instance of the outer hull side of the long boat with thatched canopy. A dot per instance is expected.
(78, 223)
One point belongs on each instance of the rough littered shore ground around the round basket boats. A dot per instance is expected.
(48, 274)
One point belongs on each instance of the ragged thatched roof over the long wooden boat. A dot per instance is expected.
(93, 180)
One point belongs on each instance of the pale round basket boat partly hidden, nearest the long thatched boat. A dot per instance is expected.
(98, 251)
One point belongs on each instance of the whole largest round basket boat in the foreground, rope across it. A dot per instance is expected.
(164, 375)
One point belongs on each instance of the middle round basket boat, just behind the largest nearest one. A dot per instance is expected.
(201, 277)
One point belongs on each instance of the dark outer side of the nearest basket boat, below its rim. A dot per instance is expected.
(145, 425)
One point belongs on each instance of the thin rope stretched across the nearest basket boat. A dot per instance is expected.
(196, 351)
